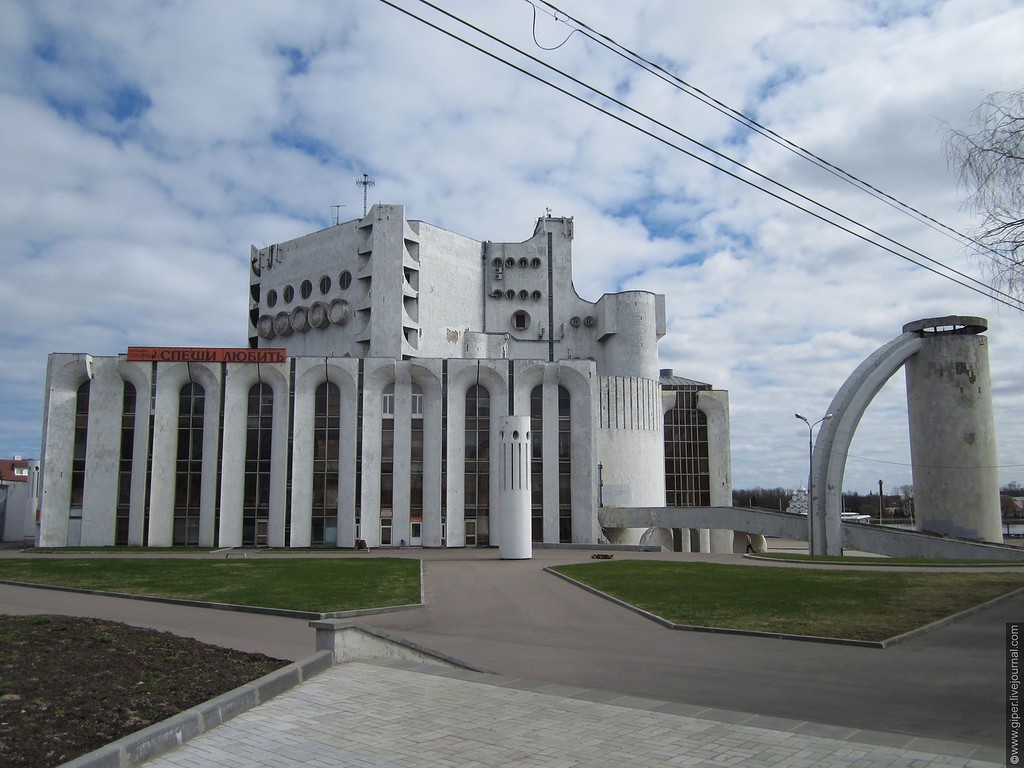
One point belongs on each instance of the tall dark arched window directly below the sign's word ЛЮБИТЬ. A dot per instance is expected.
(257, 486)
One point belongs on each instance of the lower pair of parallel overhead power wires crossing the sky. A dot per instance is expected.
(989, 291)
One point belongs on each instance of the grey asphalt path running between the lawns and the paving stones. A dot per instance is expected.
(514, 619)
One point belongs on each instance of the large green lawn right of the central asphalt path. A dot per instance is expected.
(856, 606)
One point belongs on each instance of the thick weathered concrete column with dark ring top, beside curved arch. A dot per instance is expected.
(953, 433)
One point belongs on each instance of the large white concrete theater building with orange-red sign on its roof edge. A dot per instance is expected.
(385, 357)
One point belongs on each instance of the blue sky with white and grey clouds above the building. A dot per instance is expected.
(146, 146)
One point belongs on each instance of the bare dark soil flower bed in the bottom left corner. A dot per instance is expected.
(71, 686)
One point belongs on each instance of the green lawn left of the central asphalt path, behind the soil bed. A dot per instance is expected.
(308, 584)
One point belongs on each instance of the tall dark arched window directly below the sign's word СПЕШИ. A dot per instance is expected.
(189, 472)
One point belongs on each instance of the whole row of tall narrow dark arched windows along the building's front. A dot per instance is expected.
(326, 464)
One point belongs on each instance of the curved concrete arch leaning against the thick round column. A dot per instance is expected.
(833, 445)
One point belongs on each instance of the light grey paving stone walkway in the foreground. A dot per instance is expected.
(400, 714)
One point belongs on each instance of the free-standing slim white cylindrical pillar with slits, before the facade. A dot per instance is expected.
(515, 490)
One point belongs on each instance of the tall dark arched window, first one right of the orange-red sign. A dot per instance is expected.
(327, 426)
